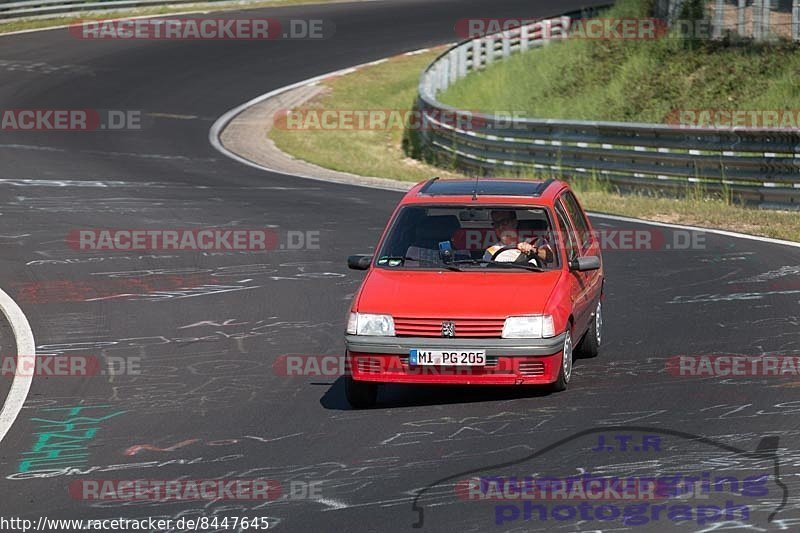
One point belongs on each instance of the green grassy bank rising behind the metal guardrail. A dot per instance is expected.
(634, 80)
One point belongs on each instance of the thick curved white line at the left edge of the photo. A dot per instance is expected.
(26, 358)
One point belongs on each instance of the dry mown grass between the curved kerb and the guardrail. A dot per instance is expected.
(393, 84)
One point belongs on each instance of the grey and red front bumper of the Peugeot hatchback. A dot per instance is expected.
(509, 361)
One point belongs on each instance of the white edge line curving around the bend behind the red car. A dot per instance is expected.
(216, 131)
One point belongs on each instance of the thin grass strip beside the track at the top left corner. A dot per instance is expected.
(175, 9)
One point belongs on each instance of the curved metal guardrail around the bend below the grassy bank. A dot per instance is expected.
(755, 166)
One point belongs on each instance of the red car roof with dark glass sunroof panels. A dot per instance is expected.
(485, 191)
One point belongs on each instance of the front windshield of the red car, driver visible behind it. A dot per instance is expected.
(518, 239)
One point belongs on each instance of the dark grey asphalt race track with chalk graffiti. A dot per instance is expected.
(205, 329)
